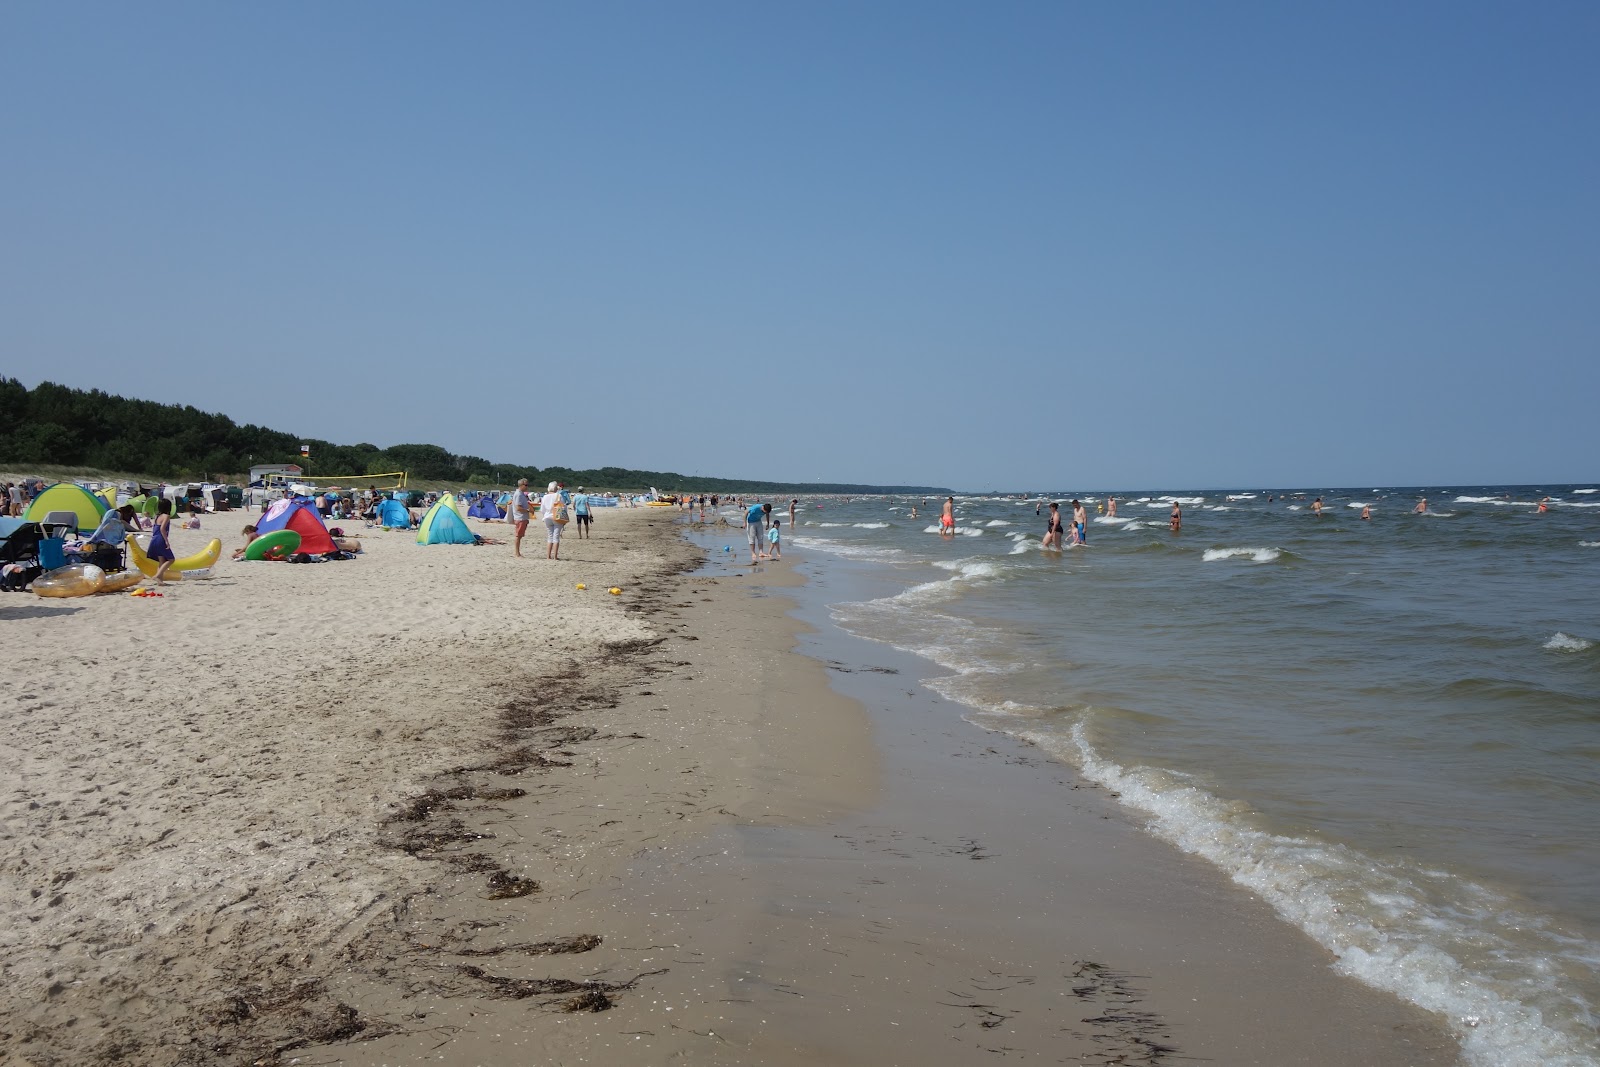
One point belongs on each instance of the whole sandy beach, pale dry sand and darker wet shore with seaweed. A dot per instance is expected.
(438, 805)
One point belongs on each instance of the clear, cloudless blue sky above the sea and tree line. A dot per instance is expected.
(977, 246)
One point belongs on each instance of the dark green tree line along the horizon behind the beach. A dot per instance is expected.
(89, 428)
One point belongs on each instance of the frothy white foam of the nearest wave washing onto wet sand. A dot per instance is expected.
(1380, 919)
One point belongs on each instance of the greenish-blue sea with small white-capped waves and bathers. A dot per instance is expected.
(1386, 729)
